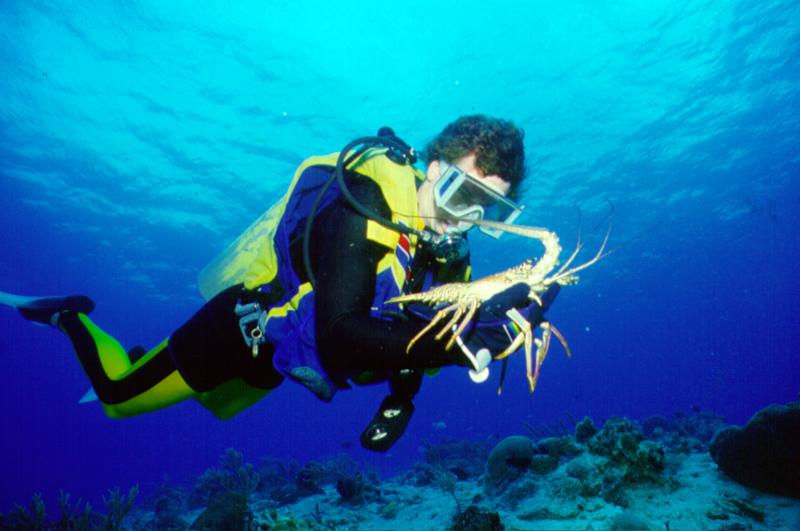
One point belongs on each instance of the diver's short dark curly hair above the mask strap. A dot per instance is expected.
(497, 145)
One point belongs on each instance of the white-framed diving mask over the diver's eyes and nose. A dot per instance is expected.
(467, 199)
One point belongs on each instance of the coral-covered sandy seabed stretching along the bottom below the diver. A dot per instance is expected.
(618, 477)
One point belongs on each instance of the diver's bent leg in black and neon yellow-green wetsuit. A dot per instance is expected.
(204, 353)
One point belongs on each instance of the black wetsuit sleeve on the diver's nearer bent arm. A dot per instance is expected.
(345, 263)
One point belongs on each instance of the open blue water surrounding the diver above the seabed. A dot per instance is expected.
(137, 139)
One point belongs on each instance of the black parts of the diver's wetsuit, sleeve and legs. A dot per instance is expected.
(209, 350)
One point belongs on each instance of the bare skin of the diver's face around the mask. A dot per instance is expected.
(433, 218)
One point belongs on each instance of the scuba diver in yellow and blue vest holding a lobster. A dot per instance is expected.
(302, 293)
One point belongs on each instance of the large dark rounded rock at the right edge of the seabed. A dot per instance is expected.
(764, 454)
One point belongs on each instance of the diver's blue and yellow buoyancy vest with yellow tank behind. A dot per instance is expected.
(260, 259)
